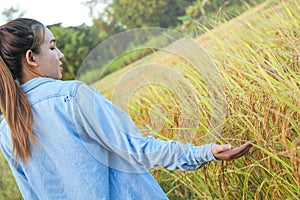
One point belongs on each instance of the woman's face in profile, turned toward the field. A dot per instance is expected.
(49, 58)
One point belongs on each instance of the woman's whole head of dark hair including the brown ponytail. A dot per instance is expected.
(16, 37)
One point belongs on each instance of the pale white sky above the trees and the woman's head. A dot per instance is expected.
(67, 12)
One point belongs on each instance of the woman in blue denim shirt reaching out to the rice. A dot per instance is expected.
(64, 140)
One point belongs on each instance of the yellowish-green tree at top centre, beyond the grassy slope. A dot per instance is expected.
(149, 13)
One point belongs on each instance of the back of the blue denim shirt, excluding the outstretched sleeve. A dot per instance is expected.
(62, 166)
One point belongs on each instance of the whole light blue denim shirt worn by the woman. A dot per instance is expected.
(88, 148)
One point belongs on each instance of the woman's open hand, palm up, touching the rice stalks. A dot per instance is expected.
(226, 152)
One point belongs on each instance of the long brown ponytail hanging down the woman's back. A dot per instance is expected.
(17, 112)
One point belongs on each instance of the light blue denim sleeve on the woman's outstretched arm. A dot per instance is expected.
(111, 137)
